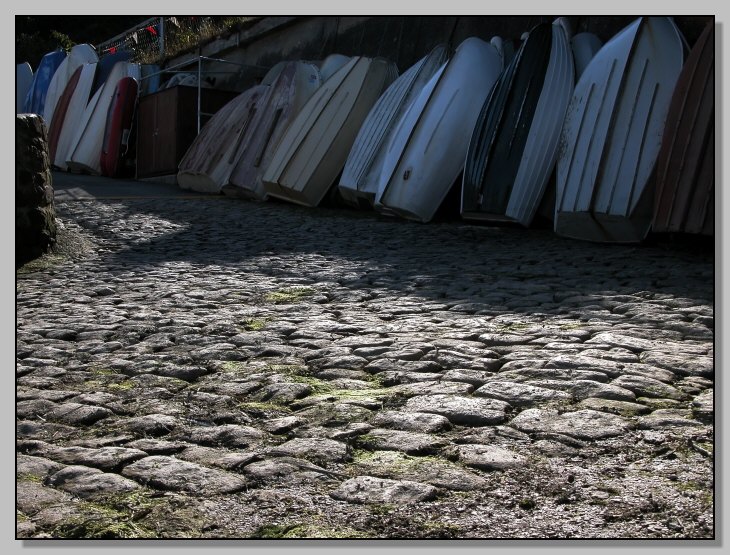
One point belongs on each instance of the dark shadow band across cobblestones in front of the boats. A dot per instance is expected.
(524, 270)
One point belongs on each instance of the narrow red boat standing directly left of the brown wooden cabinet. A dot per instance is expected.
(118, 127)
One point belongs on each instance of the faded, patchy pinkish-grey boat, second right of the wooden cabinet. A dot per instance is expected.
(275, 109)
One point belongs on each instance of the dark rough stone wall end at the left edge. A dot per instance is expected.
(35, 219)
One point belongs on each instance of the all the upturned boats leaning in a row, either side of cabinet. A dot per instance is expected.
(610, 140)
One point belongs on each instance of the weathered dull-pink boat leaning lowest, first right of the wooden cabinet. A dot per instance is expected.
(209, 160)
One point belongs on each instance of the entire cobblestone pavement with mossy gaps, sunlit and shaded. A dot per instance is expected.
(217, 368)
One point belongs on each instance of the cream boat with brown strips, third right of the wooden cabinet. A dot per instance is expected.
(315, 146)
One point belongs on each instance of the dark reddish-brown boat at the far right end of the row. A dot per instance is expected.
(686, 162)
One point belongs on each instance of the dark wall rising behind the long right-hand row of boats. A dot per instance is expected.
(403, 39)
